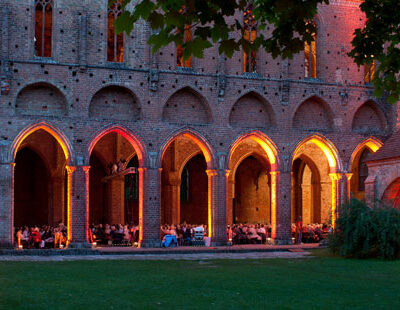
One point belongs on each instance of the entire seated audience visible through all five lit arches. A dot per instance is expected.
(184, 234)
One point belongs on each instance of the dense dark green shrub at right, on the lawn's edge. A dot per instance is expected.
(365, 232)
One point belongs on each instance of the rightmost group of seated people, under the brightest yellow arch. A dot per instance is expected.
(310, 233)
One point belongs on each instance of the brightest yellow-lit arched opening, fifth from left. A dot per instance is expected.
(315, 166)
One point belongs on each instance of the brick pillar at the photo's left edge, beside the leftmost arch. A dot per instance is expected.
(6, 204)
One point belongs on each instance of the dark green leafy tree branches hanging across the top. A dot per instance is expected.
(214, 23)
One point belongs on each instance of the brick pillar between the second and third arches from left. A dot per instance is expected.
(149, 207)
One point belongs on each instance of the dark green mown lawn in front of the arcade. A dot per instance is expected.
(321, 282)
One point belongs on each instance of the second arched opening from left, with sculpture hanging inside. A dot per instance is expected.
(108, 178)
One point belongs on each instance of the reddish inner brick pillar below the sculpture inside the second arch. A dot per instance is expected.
(116, 199)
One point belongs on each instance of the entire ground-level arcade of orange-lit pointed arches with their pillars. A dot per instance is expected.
(248, 185)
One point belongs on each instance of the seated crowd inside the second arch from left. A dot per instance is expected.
(116, 234)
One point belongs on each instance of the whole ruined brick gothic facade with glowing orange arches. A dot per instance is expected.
(215, 140)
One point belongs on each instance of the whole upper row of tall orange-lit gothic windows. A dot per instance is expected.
(115, 42)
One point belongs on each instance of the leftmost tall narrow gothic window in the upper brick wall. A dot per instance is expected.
(43, 27)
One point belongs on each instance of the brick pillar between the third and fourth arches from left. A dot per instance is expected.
(217, 205)
